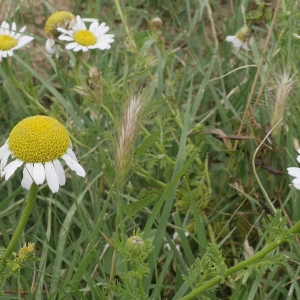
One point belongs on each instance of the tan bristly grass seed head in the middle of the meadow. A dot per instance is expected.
(130, 126)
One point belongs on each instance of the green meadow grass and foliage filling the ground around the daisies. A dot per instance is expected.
(181, 174)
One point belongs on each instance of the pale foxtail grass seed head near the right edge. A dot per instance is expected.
(283, 89)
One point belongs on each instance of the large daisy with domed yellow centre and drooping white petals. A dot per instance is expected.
(38, 143)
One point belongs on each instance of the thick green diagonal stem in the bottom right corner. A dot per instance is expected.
(269, 248)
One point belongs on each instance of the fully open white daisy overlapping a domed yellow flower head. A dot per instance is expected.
(83, 39)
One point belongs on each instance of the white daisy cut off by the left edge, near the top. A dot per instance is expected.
(11, 40)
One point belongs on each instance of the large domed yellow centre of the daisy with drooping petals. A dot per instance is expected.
(38, 139)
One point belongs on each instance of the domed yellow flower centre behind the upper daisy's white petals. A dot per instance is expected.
(58, 19)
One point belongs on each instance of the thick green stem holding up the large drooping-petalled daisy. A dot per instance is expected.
(23, 220)
